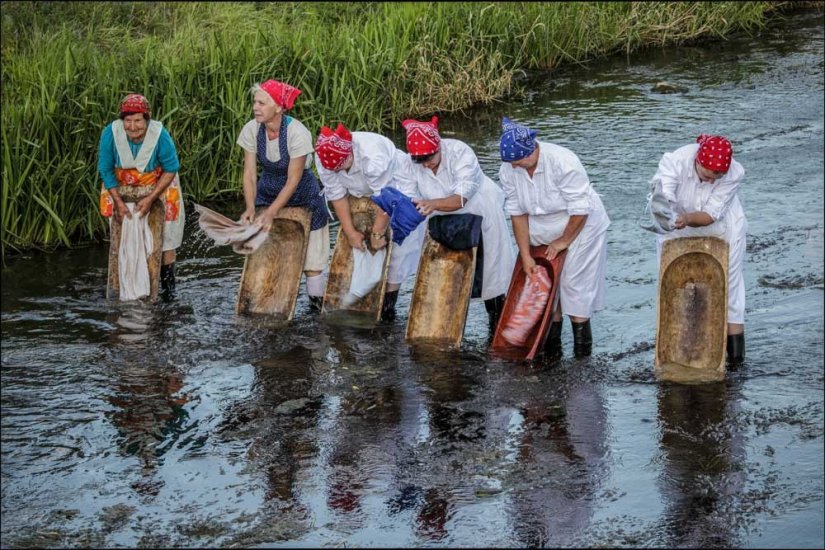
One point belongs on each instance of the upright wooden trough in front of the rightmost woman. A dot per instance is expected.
(692, 309)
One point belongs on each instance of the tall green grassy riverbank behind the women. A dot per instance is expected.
(65, 66)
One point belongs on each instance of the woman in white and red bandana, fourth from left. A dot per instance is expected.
(448, 177)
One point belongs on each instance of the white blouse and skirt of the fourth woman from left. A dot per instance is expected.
(460, 174)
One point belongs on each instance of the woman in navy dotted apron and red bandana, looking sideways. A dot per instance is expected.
(283, 148)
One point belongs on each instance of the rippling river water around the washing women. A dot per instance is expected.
(185, 425)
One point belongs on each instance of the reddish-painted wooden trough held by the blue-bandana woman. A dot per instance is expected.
(537, 336)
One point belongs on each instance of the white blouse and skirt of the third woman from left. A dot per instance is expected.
(375, 162)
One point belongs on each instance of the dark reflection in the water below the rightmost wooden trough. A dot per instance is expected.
(703, 464)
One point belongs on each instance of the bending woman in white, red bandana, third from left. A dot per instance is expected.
(361, 164)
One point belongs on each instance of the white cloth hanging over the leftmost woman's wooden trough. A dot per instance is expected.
(136, 244)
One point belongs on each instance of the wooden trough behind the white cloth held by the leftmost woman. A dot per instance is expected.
(156, 217)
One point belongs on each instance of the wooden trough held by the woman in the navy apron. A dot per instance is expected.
(272, 274)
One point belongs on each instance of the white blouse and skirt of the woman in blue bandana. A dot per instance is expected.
(559, 189)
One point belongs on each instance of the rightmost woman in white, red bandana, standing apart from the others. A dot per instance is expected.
(701, 182)
